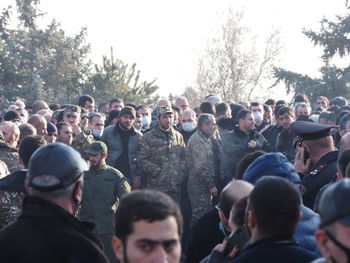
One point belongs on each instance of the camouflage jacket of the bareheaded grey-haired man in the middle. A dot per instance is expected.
(201, 161)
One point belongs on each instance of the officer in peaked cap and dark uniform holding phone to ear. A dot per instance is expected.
(316, 158)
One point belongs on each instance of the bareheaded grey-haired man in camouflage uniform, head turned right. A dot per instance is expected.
(201, 165)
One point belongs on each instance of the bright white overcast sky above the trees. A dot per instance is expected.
(166, 38)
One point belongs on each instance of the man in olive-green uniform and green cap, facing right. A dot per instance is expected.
(103, 186)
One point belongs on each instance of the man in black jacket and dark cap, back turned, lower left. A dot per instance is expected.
(47, 231)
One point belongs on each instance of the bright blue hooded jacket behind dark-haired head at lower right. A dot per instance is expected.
(277, 164)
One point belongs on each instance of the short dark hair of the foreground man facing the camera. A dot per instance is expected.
(144, 205)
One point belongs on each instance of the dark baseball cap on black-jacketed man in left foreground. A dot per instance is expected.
(55, 166)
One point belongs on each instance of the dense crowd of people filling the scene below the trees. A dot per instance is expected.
(216, 182)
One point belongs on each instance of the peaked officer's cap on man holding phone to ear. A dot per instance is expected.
(311, 131)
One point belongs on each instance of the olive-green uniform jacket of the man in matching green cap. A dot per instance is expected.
(102, 190)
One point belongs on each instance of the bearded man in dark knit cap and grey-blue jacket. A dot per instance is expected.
(122, 141)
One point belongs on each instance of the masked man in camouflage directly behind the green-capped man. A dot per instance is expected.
(94, 132)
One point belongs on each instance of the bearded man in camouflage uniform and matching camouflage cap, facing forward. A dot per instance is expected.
(162, 156)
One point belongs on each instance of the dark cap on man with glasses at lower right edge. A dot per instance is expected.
(333, 202)
